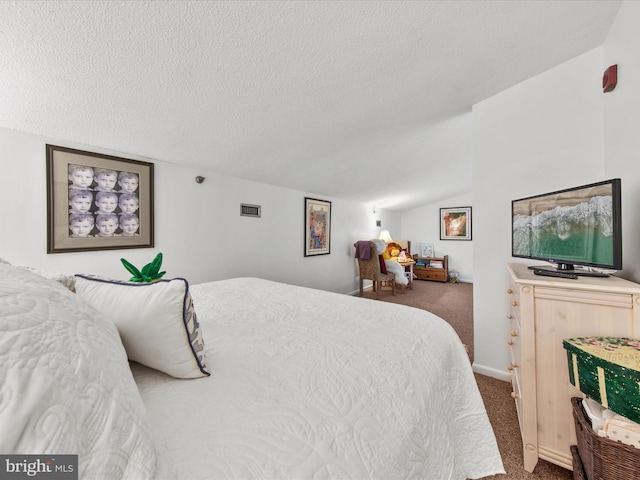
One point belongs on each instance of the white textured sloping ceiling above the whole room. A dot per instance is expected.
(360, 100)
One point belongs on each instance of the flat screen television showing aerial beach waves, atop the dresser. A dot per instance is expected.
(576, 226)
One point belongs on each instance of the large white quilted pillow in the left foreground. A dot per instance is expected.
(66, 386)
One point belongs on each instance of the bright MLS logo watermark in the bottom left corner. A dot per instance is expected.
(49, 467)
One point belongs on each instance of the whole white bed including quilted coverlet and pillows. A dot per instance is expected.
(304, 384)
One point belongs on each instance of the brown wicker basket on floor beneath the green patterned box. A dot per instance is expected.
(602, 458)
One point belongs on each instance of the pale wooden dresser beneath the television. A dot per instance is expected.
(542, 312)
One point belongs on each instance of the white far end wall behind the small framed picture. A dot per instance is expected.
(422, 225)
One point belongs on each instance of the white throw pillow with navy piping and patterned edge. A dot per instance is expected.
(157, 322)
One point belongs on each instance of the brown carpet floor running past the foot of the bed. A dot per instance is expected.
(454, 303)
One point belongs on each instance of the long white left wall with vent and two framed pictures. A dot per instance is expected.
(197, 226)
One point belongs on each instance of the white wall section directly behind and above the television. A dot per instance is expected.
(542, 135)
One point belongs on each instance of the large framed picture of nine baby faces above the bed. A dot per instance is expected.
(97, 202)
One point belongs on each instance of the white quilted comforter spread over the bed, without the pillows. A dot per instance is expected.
(308, 384)
